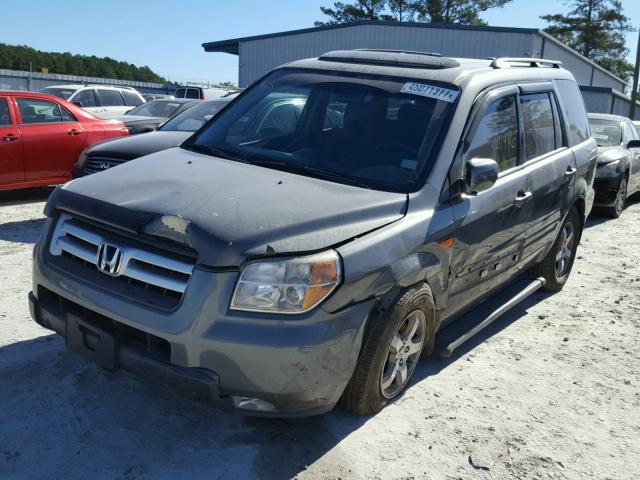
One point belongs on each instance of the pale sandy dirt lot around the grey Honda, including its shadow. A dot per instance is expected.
(550, 391)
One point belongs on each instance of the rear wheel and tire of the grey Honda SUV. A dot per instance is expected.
(556, 266)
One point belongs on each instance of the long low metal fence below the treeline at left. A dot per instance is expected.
(19, 80)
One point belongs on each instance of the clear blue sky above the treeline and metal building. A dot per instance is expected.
(167, 35)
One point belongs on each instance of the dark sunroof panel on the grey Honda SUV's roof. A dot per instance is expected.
(390, 58)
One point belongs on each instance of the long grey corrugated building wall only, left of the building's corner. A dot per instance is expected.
(260, 56)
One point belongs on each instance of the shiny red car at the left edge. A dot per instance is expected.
(41, 137)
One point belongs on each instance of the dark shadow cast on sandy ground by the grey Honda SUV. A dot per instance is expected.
(117, 421)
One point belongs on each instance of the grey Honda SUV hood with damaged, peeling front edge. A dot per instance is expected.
(227, 211)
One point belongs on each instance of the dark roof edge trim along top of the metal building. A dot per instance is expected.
(232, 45)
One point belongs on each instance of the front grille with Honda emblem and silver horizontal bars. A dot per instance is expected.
(139, 272)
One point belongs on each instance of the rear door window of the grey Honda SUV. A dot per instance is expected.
(537, 119)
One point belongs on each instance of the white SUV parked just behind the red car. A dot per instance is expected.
(102, 100)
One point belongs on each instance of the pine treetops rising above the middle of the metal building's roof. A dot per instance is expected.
(434, 11)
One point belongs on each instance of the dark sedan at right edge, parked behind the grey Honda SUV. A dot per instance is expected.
(618, 172)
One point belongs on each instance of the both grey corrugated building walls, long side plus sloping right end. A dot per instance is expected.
(257, 57)
